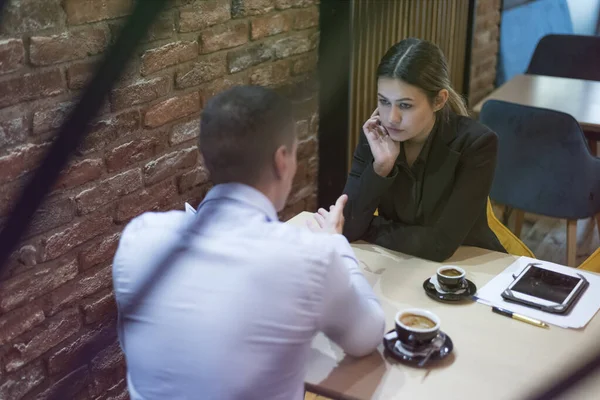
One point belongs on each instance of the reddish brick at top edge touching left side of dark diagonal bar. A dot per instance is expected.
(83, 11)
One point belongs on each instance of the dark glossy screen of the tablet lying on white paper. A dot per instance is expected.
(546, 284)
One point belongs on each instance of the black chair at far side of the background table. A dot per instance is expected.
(569, 56)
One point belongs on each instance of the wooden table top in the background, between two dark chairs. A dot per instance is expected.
(576, 97)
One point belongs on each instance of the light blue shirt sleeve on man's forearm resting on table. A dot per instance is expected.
(352, 316)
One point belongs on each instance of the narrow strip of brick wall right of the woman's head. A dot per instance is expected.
(484, 54)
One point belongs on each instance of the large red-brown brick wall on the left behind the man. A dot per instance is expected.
(56, 301)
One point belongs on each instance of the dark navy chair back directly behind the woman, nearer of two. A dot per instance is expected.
(544, 164)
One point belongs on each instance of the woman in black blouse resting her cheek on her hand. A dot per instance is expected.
(421, 161)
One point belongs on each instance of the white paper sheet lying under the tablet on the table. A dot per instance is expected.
(580, 315)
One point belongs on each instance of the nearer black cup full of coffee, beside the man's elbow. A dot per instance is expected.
(416, 327)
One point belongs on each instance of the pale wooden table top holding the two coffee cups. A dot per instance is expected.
(494, 357)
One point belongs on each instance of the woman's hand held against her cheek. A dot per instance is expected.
(384, 149)
